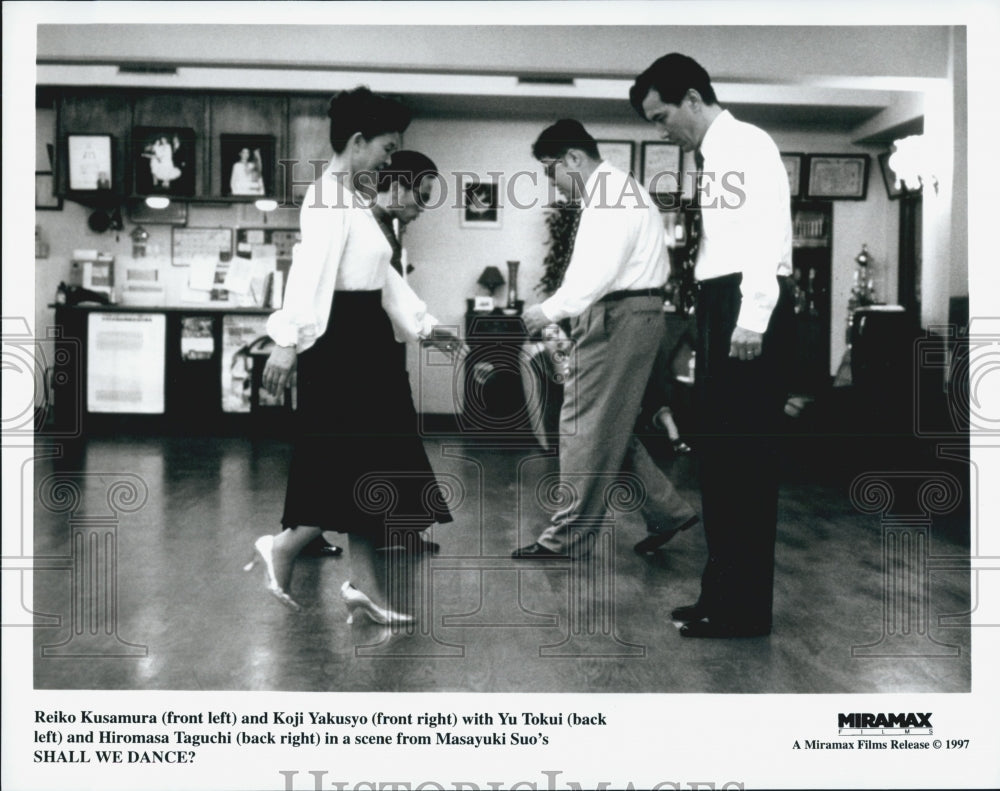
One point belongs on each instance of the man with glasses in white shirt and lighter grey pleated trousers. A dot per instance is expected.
(612, 293)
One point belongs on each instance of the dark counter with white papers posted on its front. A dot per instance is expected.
(191, 377)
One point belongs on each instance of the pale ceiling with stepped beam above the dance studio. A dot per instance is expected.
(867, 83)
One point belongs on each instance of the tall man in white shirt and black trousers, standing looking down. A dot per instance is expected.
(745, 326)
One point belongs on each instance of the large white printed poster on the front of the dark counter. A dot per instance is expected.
(126, 359)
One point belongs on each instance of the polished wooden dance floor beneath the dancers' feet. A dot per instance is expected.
(140, 544)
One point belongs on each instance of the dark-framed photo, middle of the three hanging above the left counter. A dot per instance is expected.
(163, 159)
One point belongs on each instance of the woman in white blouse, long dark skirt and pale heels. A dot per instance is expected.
(358, 463)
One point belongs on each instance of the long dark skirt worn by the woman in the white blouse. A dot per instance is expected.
(358, 463)
